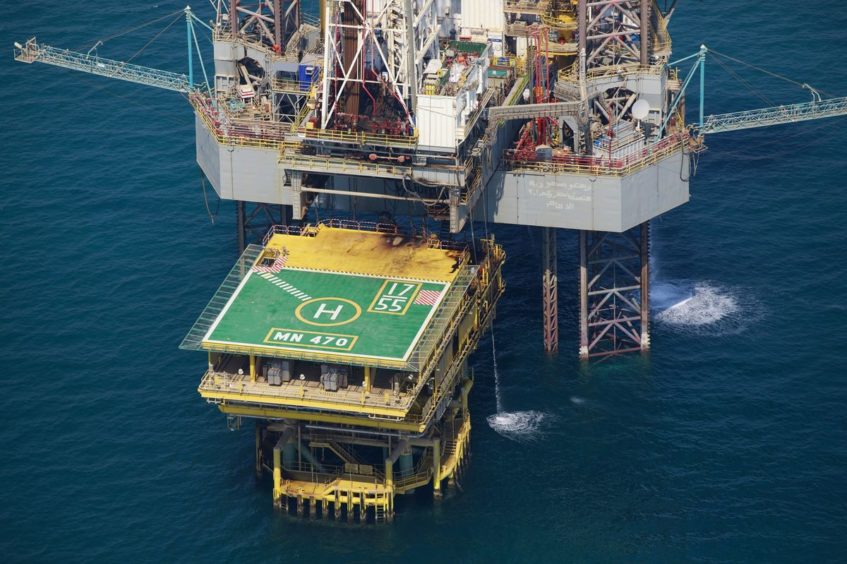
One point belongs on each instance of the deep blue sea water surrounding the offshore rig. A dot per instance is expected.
(727, 443)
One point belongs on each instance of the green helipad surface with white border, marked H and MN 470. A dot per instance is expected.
(301, 310)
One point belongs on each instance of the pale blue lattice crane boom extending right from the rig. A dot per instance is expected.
(764, 117)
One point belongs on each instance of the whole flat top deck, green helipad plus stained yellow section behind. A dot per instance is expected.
(352, 294)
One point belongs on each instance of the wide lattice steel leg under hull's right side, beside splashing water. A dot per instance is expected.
(614, 292)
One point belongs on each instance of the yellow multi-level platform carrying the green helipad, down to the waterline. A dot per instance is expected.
(345, 429)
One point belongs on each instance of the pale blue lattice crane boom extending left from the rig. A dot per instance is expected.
(32, 52)
